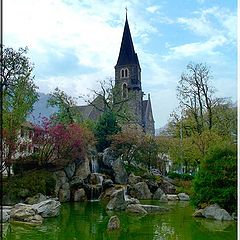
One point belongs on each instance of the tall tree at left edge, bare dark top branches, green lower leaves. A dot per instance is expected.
(19, 94)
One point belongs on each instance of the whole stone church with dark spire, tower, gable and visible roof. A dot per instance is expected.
(128, 83)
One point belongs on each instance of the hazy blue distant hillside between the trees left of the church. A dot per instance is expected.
(41, 109)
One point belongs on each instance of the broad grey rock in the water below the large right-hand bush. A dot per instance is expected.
(215, 212)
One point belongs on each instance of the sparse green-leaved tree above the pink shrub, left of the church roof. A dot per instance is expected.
(67, 111)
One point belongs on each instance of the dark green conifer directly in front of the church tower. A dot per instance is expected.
(105, 127)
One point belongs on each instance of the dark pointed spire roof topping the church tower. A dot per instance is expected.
(127, 53)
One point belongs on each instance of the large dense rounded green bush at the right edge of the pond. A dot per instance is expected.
(216, 181)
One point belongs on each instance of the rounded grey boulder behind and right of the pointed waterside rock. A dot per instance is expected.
(140, 191)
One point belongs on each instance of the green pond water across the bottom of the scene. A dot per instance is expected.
(87, 221)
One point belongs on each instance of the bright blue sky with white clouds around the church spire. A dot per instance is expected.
(74, 44)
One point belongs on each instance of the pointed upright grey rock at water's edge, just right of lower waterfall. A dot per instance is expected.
(117, 201)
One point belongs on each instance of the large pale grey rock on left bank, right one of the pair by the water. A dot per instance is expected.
(48, 208)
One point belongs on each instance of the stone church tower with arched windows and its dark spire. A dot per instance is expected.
(128, 77)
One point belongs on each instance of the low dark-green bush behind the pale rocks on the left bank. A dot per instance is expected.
(29, 182)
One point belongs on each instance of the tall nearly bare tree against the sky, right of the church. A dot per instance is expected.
(196, 95)
